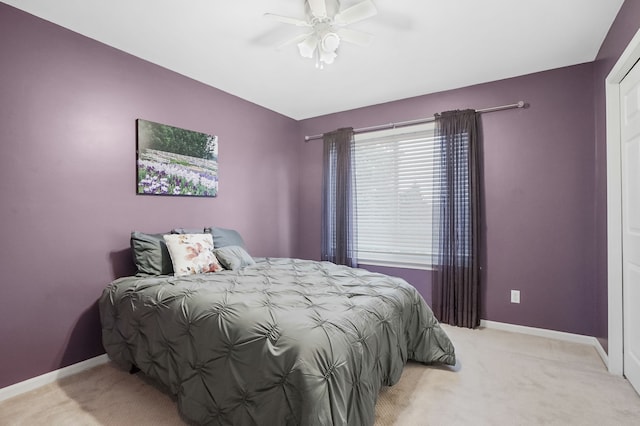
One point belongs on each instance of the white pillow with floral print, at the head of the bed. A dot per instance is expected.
(192, 253)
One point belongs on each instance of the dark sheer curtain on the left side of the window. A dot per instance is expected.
(338, 198)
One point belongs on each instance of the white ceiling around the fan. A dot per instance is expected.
(420, 46)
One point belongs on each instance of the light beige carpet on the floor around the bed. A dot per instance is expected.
(501, 378)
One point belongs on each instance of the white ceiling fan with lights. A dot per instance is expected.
(327, 24)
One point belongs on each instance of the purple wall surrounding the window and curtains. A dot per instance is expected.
(539, 179)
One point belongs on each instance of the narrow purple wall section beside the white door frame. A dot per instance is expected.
(626, 25)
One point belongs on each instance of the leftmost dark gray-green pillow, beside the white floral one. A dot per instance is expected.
(150, 254)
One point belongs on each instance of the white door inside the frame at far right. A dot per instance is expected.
(630, 150)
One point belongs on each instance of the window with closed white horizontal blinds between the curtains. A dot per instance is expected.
(397, 175)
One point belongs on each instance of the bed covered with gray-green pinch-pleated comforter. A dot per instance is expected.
(271, 340)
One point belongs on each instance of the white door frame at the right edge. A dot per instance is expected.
(627, 60)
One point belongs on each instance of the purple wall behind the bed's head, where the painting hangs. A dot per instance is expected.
(68, 107)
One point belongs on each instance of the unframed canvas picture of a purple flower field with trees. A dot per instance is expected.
(175, 161)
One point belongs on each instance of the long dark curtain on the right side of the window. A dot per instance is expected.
(456, 283)
